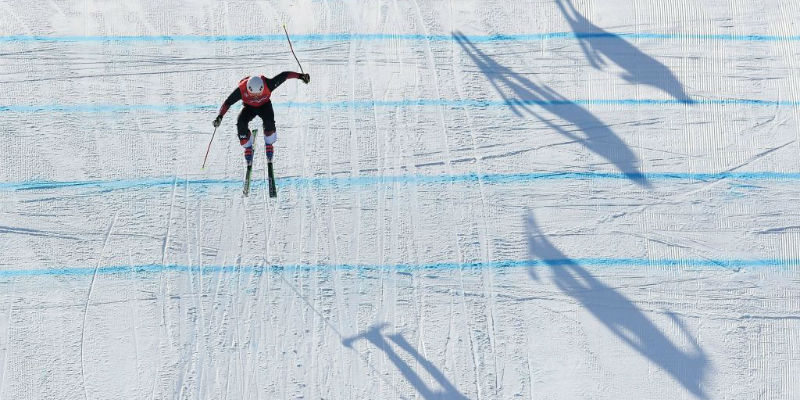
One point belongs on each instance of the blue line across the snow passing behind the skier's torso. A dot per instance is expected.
(114, 108)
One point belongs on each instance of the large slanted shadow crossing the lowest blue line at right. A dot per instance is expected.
(619, 314)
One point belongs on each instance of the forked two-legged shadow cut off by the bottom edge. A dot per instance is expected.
(374, 336)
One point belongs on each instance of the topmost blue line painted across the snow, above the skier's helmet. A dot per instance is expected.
(346, 37)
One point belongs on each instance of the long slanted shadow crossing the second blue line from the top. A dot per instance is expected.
(527, 96)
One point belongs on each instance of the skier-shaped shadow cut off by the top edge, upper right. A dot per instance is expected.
(599, 45)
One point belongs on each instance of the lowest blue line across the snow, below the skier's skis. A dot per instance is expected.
(586, 262)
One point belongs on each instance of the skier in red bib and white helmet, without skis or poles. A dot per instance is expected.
(254, 92)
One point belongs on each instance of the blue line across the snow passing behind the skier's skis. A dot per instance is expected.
(357, 181)
